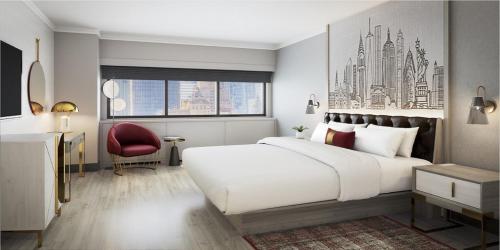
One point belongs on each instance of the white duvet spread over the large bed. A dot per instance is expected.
(282, 171)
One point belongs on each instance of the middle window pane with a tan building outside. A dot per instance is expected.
(192, 98)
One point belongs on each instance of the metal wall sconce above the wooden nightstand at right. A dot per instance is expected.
(480, 107)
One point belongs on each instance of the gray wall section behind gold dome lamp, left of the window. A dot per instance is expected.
(77, 80)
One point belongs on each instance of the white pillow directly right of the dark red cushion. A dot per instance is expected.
(378, 141)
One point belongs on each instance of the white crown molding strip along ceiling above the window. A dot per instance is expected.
(186, 41)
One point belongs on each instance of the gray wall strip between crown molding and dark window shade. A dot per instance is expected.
(126, 53)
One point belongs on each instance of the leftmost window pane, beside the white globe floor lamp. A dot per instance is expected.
(139, 98)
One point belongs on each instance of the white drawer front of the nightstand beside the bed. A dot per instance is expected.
(468, 193)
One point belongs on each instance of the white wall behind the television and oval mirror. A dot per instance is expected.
(19, 27)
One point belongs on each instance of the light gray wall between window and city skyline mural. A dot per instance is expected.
(300, 71)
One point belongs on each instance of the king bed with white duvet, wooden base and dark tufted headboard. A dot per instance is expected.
(283, 182)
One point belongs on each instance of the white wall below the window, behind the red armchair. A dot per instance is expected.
(198, 132)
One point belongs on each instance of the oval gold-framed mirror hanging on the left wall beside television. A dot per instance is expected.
(36, 86)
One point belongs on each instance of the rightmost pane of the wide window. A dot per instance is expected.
(238, 98)
